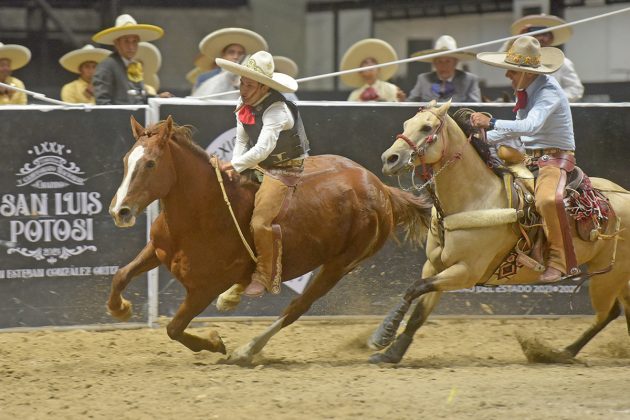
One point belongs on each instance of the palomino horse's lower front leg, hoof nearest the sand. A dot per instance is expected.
(397, 350)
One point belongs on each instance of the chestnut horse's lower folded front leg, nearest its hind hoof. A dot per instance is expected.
(195, 302)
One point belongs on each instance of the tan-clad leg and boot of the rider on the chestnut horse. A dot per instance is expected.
(267, 205)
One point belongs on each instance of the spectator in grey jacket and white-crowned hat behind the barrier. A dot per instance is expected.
(446, 81)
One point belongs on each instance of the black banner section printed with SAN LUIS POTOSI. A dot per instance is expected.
(59, 247)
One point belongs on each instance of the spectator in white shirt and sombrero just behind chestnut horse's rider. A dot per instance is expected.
(229, 44)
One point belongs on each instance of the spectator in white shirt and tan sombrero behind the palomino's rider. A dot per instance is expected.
(566, 75)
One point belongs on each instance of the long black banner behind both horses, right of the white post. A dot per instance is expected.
(362, 133)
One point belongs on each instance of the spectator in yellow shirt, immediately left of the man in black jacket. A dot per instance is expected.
(82, 62)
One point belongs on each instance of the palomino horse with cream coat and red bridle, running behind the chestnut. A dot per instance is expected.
(470, 253)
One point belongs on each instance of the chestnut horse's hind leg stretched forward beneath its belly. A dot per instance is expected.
(327, 277)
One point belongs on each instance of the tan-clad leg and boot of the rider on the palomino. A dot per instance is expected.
(545, 193)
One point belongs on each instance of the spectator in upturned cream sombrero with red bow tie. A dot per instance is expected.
(372, 84)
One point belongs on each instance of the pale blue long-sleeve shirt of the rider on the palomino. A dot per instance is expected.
(545, 122)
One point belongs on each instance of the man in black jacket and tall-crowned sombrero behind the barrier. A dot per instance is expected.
(118, 79)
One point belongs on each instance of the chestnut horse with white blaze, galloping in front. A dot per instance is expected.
(339, 215)
